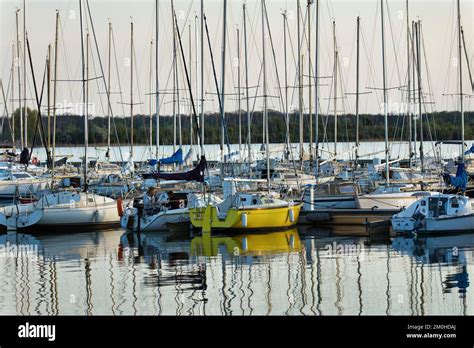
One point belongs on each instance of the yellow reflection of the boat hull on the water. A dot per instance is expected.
(247, 244)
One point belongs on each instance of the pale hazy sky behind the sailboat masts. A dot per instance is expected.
(439, 44)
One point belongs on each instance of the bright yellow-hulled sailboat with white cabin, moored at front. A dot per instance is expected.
(246, 211)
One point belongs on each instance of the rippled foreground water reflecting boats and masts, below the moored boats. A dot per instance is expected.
(295, 272)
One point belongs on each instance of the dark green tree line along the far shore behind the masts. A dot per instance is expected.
(70, 128)
